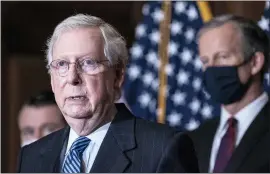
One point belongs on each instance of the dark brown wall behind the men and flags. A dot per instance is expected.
(25, 28)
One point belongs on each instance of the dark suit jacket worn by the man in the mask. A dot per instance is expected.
(251, 155)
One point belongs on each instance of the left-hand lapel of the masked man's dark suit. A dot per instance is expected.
(206, 144)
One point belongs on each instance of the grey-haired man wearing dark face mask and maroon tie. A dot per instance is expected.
(235, 55)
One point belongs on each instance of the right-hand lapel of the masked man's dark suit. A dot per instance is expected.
(256, 130)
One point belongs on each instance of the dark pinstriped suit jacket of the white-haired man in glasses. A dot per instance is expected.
(130, 145)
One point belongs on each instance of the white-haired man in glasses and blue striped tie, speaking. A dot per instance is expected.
(86, 60)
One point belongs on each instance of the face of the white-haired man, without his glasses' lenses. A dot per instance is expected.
(80, 95)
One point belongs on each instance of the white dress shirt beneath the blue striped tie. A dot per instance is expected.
(90, 153)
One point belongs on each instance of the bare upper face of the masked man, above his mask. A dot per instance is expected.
(222, 47)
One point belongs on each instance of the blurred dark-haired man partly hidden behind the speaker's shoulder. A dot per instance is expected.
(38, 117)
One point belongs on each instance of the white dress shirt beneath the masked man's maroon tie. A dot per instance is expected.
(244, 118)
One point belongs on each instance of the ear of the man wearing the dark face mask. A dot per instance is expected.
(257, 63)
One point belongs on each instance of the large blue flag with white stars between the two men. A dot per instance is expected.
(187, 103)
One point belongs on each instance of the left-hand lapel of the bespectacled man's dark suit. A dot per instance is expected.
(50, 154)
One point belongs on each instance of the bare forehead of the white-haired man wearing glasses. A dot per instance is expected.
(79, 43)
